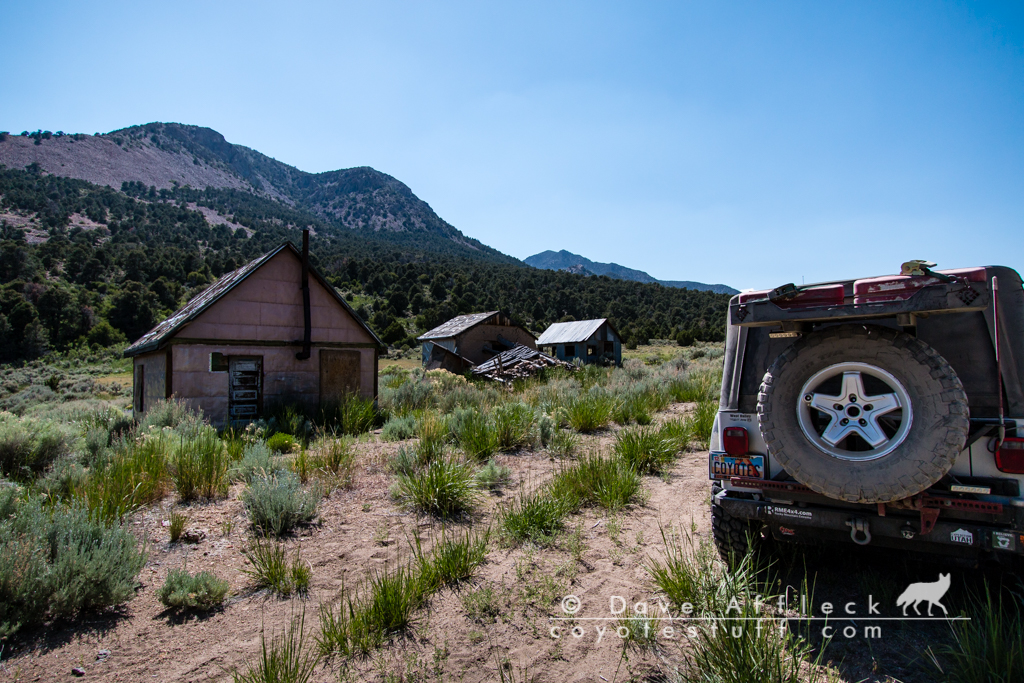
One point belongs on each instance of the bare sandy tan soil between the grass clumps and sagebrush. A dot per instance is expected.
(362, 530)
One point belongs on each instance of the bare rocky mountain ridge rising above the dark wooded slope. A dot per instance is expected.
(169, 156)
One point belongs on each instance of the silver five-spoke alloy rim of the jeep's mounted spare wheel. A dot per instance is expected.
(841, 418)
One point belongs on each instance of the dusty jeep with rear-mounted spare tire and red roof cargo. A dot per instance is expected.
(885, 412)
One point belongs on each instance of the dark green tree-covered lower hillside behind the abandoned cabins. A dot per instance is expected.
(84, 265)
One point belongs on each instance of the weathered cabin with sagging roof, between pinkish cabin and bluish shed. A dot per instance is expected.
(470, 340)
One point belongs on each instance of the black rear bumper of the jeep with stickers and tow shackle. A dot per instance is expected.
(816, 524)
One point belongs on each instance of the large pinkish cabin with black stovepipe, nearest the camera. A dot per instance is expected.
(272, 332)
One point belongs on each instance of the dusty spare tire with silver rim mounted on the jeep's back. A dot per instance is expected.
(864, 414)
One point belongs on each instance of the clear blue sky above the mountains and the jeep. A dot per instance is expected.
(747, 144)
